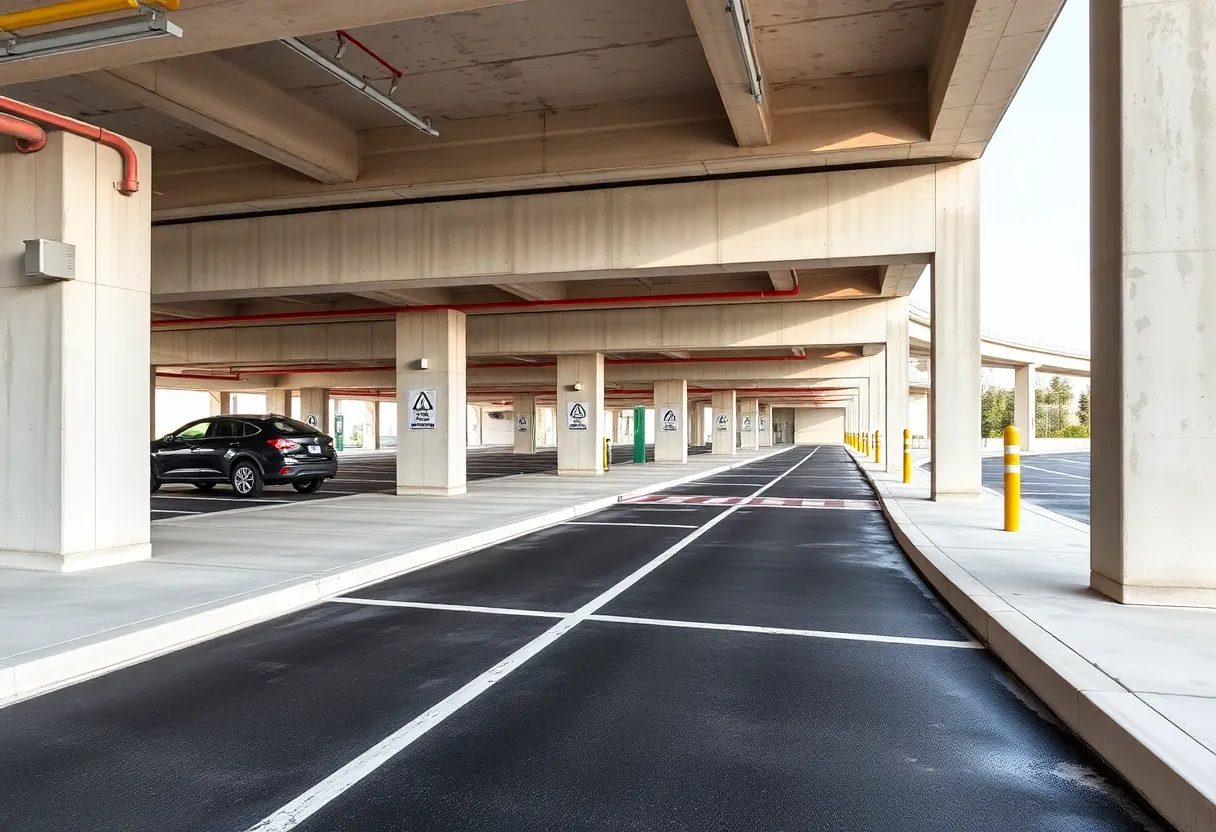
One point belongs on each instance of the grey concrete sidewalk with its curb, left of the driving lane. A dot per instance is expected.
(215, 574)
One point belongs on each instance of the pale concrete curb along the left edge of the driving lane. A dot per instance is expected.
(50, 670)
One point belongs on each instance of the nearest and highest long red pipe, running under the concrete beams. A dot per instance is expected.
(381, 312)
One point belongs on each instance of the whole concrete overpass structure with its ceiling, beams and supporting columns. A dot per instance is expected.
(657, 198)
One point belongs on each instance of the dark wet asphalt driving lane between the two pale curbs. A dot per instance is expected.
(733, 668)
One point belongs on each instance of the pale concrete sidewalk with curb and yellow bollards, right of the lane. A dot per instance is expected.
(1138, 684)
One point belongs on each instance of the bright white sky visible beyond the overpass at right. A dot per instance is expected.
(1035, 210)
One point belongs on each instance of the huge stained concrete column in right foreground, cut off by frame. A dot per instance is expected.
(1153, 261)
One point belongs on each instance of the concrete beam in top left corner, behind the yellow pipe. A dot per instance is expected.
(212, 26)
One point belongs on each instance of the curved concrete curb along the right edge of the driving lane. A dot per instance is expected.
(1173, 772)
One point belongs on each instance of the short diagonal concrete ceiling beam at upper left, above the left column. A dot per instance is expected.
(224, 100)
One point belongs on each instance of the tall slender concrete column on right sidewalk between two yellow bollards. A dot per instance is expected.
(955, 391)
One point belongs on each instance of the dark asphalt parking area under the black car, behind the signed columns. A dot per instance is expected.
(374, 473)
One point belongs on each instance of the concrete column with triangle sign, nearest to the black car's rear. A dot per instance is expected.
(431, 406)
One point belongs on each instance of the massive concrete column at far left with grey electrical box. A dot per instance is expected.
(74, 357)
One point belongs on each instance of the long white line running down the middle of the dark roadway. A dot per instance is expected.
(334, 786)
